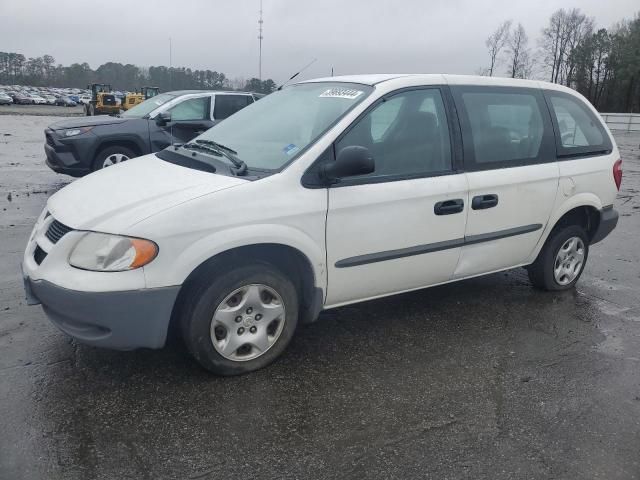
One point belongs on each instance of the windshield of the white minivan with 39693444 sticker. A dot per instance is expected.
(270, 133)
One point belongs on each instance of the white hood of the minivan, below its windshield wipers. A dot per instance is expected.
(115, 198)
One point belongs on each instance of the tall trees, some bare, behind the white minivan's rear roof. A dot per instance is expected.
(602, 64)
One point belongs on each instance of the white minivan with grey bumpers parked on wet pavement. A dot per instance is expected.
(325, 193)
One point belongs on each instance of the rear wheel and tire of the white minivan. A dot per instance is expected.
(548, 272)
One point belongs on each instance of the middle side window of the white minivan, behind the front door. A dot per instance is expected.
(504, 127)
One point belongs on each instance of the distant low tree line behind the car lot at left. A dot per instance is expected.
(43, 71)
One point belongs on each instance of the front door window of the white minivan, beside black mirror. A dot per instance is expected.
(407, 135)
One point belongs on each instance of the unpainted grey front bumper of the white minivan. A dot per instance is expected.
(123, 320)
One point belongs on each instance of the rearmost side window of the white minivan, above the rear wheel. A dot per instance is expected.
(578, 130)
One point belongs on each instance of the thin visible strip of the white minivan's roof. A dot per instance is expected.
(431, 78)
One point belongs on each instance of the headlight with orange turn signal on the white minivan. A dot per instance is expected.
(102, 252)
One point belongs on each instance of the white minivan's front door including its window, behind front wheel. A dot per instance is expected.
(402, 226)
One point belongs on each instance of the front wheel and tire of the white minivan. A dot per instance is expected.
(214, 302)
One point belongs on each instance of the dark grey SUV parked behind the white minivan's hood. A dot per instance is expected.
(77, 146)
